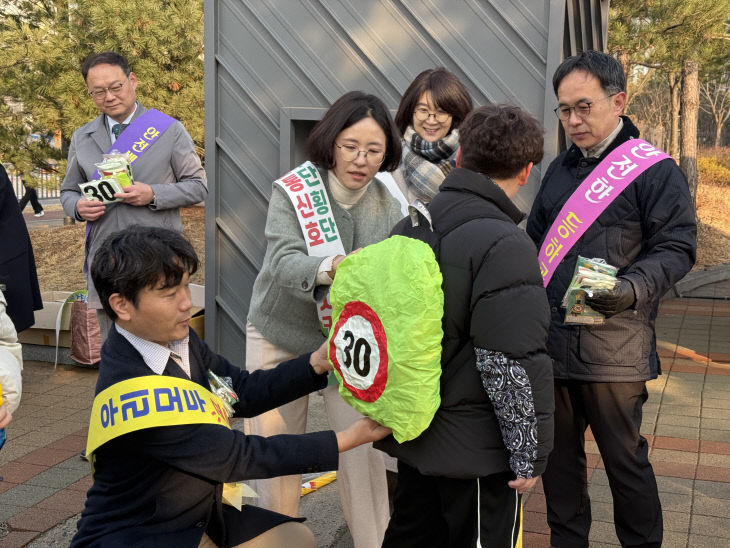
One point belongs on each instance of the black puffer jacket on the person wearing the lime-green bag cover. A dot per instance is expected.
(493, 300)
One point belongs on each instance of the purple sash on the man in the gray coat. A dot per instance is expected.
(135, 141)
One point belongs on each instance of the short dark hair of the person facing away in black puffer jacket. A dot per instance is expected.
(500, 140)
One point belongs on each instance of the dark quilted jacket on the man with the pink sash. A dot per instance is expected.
(648, 232)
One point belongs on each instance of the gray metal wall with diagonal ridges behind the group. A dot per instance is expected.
(273, 66)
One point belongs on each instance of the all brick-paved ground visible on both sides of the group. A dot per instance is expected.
(686, 419)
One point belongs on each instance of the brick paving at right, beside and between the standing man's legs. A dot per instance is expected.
(687, 422)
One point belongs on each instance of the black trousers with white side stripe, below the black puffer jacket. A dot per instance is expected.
(438, 512)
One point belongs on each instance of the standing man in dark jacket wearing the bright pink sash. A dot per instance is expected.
(648, 231)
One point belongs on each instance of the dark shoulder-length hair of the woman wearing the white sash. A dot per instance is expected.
(345, 112)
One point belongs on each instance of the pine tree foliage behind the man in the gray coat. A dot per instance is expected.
(43, 44)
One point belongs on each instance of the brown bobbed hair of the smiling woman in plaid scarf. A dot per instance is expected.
(447, 93)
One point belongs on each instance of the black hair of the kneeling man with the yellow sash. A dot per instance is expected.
(142, 256)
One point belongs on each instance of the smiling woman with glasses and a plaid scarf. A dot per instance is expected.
(429, 114)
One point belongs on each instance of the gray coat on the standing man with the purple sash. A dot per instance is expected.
(171, 167)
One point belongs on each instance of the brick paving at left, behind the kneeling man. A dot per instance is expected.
(44, 480)
